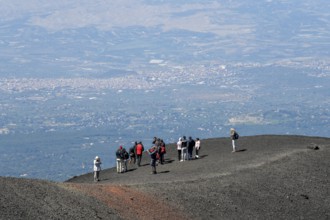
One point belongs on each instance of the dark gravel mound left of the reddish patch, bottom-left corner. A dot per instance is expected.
(34, 199)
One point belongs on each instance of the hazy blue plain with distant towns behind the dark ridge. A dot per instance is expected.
(78, 79)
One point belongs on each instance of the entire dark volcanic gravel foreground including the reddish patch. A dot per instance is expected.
(273, 177)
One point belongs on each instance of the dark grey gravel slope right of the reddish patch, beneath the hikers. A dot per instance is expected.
(273, 177)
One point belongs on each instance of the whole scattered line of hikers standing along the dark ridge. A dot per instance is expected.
(185, 148)
